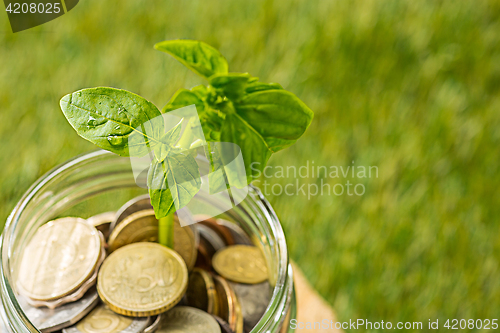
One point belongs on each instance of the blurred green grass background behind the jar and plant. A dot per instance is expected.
(411, 87)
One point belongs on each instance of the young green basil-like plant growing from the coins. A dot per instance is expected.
(259, 118)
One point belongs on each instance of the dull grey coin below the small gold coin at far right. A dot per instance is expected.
(254, 299)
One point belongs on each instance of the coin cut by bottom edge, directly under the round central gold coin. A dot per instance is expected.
(102, 319)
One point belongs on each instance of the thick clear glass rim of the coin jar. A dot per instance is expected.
(17, 321)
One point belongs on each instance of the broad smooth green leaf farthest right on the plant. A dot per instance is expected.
(277, 116)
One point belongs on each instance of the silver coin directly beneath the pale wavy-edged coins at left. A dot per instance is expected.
(50, 320)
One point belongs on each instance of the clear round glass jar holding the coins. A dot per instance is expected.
(101, 181)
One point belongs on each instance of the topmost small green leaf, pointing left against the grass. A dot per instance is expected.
(201, 58)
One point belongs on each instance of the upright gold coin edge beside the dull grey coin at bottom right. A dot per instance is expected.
(229, 306)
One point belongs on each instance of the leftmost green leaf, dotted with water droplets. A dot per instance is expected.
(114, 119)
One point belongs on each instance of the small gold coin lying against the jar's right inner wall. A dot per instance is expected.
(241, 263)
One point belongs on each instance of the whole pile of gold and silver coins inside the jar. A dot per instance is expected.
(107, 273)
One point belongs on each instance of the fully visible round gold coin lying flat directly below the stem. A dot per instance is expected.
(142, 279)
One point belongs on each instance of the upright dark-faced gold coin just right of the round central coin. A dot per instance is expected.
(201, 292)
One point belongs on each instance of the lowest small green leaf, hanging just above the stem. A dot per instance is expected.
(181, 172)
